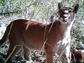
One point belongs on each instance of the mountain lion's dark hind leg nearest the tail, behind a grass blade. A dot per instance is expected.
(12, 47)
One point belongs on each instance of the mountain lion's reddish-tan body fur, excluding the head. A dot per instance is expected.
(33, 38)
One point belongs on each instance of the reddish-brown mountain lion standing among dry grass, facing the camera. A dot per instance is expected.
(57, 40)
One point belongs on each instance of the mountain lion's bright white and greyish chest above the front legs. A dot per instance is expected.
(63, 44)
